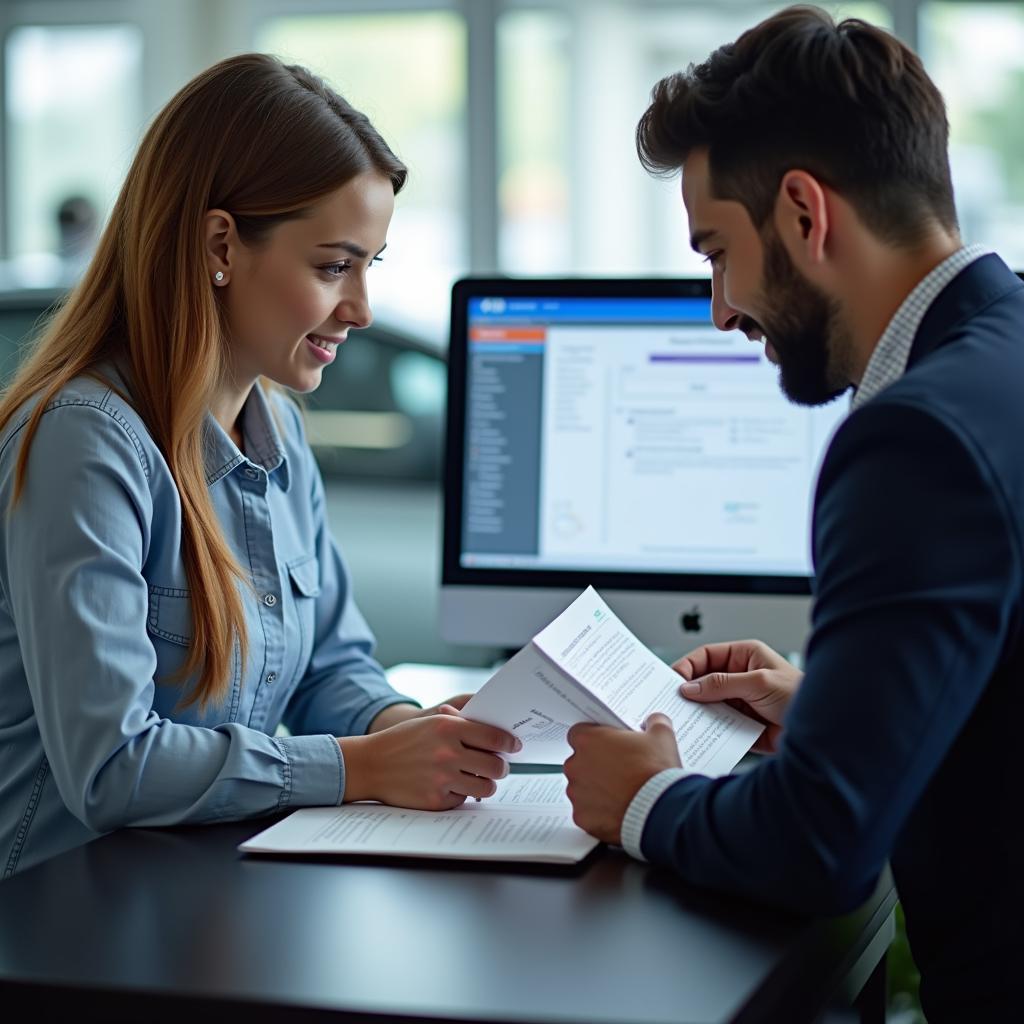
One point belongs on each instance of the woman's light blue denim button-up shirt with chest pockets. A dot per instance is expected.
(95, 619)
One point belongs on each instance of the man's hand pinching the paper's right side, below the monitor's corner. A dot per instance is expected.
(748, 675)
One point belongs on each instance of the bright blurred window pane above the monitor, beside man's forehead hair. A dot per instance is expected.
(574, 80)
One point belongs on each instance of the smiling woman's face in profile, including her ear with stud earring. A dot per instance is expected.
(292, 301)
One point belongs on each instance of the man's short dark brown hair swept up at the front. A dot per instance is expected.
(846, 103)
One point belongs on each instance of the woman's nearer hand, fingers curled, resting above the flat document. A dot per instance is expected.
(433, 761)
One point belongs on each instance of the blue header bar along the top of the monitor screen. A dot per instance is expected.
(502, 310)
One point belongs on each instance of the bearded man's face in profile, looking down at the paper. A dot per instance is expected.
(757, 289)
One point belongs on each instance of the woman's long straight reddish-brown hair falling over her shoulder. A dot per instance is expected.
(264, 142)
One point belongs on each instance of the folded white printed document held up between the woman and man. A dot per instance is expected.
(588, 667)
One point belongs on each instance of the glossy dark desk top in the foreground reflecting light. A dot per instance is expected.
(160, 924)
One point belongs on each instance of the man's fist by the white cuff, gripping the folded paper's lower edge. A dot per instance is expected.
(609, 767)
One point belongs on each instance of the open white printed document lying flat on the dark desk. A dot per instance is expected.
(530, 819)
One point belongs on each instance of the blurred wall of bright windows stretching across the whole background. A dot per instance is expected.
(571, 80)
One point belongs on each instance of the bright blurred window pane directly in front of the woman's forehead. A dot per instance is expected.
(407, 72)
